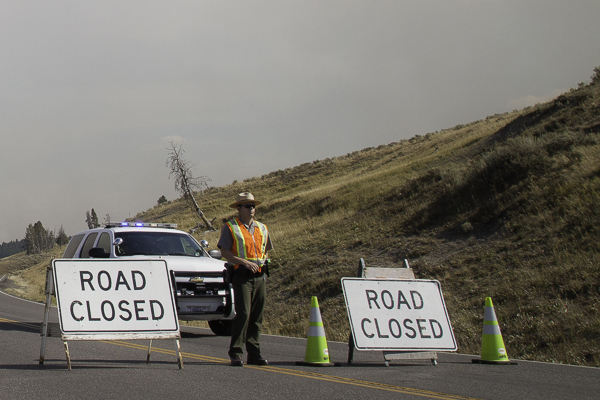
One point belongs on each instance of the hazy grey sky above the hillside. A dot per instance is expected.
(92, 92)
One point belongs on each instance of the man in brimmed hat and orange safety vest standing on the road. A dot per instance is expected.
(244, 243)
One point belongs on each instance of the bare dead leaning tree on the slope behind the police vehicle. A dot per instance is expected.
(185, 183)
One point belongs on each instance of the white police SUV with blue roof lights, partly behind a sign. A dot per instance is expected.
(201, 289)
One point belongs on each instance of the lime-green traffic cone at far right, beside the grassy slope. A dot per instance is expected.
(492, 345)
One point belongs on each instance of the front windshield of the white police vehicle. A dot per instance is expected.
(157, 244)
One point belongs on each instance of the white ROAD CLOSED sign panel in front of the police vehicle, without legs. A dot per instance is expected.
(112, 298)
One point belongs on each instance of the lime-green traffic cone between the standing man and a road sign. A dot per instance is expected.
(317, 353)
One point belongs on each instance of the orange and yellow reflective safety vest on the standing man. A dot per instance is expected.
(247, 246)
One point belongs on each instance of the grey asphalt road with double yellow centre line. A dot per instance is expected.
(118, 370)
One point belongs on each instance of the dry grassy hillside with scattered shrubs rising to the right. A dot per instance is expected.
(506, 207)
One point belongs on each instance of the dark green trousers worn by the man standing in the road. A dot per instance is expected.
(249, 295)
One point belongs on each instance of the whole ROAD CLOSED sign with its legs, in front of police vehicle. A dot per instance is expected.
(61, 274)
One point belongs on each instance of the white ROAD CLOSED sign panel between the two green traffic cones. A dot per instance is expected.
(398, 315)
